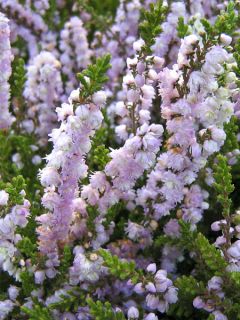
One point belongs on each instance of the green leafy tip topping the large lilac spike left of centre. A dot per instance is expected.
(93, 78)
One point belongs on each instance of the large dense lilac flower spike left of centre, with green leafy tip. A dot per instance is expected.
(66, 165)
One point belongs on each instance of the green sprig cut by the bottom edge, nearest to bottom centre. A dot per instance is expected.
(103, 311)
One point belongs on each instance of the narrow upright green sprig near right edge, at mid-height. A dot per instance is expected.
(223, 184)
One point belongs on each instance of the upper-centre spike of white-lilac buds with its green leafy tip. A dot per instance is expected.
(133, 104)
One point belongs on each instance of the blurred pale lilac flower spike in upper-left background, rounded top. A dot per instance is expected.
(43, 89)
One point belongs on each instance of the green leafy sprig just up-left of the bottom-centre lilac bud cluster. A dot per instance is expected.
(119, 268)
